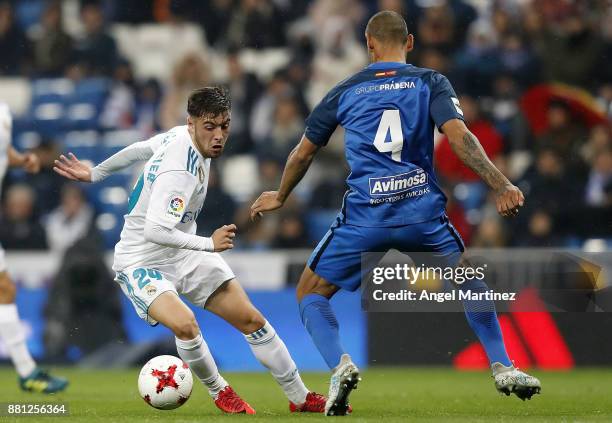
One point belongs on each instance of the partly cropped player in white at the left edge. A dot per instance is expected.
(31, 377)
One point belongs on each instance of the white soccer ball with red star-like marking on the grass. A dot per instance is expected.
(165, 382)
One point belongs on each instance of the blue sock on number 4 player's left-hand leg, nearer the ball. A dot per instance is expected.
(319, 320)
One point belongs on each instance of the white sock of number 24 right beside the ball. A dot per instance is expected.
(196, 354)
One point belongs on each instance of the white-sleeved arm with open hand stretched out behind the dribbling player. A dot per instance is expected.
(72, 168)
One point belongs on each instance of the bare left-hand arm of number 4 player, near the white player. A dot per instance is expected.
(297, 165)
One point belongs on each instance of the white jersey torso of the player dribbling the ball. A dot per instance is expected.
(170, 193)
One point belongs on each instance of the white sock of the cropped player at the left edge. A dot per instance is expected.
(12, 334)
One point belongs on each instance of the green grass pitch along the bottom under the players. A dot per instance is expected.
(392, 394)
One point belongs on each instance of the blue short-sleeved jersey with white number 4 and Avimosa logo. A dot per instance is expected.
(388, 112)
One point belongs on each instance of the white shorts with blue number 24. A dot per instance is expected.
(195, 277)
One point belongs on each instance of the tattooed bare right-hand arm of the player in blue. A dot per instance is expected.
(467, 147)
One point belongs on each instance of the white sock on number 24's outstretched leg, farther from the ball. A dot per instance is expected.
(271, 351)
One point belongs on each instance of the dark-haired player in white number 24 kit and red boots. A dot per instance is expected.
(159, 255)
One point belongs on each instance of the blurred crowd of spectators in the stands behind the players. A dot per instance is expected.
(493, 52)
